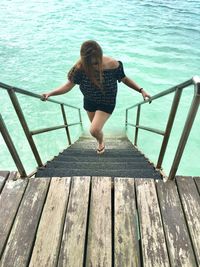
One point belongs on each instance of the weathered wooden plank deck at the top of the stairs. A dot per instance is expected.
(99, 221)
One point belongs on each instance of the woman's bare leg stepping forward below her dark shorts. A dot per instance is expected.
(98, 122)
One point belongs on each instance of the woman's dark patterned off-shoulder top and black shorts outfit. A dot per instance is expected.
(96, 98)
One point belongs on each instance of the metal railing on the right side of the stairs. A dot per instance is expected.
(166, 133)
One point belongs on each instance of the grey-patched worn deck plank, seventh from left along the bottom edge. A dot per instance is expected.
(178, 240)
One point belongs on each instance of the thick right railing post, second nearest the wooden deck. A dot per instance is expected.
(169, 125)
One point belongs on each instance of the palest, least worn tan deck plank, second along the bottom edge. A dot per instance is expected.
(46, 248)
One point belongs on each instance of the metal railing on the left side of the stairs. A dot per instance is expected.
(29, 134)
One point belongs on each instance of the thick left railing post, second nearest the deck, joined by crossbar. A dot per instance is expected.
(22, 120)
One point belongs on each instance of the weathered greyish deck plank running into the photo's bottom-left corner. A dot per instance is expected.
(20, 242)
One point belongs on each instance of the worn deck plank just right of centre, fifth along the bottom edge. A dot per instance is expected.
(126, 224)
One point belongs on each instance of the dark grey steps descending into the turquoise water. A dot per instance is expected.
(121, 159)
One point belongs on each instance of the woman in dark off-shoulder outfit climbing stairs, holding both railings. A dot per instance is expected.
(97, 76)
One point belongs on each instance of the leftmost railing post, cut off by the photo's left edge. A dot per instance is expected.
(12, 148)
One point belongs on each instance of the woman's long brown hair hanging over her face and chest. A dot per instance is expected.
(90, 62)
